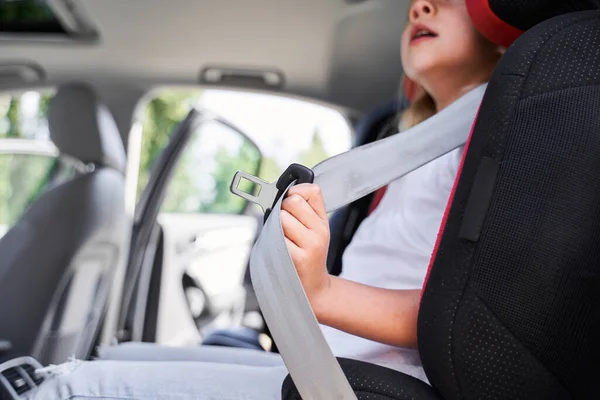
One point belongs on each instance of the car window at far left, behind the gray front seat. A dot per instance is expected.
(27, 160)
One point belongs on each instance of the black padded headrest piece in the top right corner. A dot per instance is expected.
(524, 14)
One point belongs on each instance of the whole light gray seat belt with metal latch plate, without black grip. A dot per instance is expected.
(343, 179)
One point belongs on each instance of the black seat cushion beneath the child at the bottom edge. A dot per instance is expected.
(372, 382)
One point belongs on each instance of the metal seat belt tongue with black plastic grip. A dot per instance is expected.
(268, 194)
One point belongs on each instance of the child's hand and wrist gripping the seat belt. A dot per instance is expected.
(306, 229)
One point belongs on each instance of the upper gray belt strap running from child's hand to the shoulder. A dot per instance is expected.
(352, 175)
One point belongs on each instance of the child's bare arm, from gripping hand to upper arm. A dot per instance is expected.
(383, 315)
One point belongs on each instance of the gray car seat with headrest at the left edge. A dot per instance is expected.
(57, 262)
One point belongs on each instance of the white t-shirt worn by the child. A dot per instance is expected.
(391, 249)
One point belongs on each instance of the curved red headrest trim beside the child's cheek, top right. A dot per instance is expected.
(490, 25)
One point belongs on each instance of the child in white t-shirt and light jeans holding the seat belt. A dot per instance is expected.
(370, 311)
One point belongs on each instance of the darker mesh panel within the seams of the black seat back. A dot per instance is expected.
(547, 291)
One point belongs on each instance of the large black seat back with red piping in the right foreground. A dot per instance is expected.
(516, 314)
